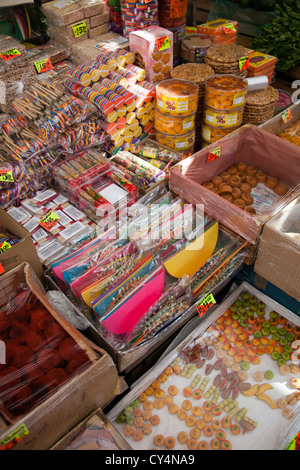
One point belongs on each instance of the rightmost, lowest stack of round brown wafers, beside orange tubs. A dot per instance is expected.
(260, 106)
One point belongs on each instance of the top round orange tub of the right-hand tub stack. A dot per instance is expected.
(225, 92)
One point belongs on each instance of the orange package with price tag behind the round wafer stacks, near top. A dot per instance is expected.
(224, 31)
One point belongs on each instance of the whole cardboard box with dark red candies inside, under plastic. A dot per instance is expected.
(50, 367)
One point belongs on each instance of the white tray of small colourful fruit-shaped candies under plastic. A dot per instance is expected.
(212, 393)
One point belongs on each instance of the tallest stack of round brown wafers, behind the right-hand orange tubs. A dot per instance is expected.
(224, 59)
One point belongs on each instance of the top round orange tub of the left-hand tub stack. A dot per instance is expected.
(177, 97)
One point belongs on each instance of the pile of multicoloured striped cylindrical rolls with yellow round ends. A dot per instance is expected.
(118, 89)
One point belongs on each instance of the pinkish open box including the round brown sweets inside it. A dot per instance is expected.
(186, 181)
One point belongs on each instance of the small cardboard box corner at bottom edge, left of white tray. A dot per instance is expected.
(95, 421)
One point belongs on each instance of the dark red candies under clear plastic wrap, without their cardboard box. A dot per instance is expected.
(40, 354)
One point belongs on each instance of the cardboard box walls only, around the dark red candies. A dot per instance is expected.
(94, 387)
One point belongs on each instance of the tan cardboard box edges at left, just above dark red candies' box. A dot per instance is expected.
(23, 251)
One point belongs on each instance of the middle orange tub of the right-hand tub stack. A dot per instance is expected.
(224, 118)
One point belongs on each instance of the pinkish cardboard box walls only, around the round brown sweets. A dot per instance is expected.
(254, 146)
